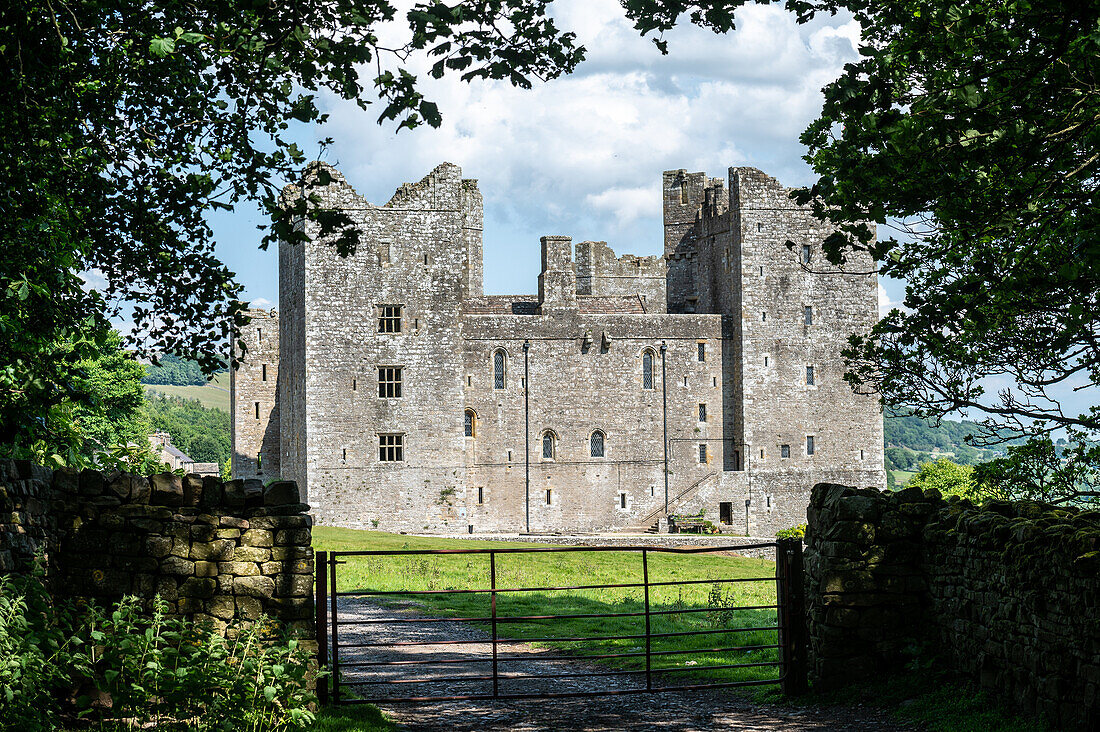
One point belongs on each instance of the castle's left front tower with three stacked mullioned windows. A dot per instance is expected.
(411, 255)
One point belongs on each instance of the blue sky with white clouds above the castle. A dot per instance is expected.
(584, 156)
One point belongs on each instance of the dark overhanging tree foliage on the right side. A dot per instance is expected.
(972, 129)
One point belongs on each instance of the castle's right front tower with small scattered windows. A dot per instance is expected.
(780, 408)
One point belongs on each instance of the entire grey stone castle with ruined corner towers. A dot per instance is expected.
(400, 397)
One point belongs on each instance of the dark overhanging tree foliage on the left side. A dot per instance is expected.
(128, 122)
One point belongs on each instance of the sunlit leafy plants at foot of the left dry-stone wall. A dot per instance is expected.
(157, 670)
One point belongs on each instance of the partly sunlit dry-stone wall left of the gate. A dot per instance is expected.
(213, 551)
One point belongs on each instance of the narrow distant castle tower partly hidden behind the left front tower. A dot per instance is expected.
(255, 409)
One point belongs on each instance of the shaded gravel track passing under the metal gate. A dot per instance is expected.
(684, 712)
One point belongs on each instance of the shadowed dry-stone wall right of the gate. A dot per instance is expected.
(1007, 595)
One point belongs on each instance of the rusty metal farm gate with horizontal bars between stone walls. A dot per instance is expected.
(365, 636)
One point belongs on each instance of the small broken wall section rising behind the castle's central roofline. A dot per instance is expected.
(600, 272)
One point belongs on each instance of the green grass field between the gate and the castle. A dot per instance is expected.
(714, 600)
